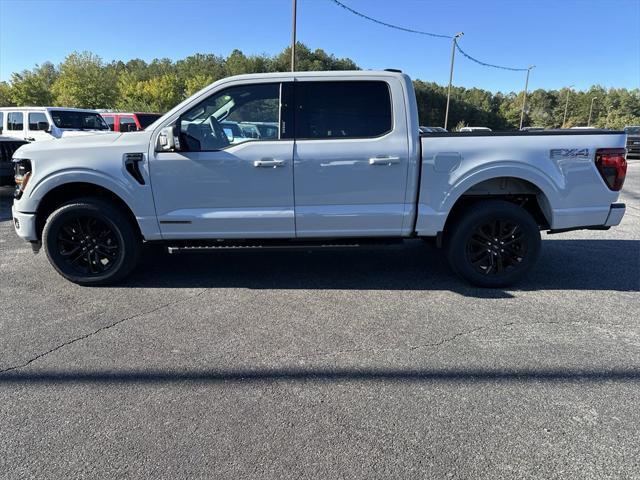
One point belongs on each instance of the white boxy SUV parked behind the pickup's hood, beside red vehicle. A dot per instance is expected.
(46, 123)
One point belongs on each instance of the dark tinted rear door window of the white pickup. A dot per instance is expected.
(342, 109)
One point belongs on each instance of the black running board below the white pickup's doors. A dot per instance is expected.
(271, 245)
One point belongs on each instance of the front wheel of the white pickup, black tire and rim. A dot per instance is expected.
(91, 242)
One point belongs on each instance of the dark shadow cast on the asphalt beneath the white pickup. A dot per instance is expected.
(563, 265)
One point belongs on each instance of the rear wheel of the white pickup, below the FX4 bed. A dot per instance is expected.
(493, 244)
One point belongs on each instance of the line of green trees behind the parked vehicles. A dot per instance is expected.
(84, 80)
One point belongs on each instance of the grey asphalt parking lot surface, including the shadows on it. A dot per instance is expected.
(372, 363)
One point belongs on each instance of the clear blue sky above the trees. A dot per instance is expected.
(581, 42)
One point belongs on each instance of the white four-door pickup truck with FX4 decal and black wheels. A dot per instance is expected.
(345, 165)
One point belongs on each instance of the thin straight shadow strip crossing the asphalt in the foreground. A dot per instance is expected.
(319, 375)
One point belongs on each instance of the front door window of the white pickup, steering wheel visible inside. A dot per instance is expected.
(245, 106)
